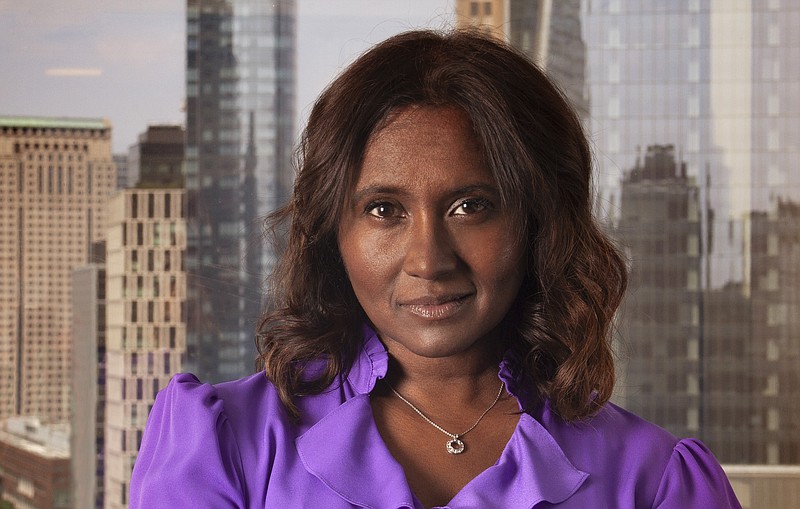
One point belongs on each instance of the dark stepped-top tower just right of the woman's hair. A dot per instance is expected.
(661, 226)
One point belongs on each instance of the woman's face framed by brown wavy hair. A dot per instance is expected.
(432, 256)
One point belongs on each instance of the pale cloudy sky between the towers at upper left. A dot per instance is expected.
(124, 60)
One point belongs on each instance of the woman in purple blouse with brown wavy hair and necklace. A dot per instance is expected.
(444, 302)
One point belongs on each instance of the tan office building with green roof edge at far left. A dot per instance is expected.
(55, 179)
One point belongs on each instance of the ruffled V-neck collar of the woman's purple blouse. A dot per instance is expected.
(346, 452)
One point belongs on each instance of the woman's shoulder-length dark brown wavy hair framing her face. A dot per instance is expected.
(536, 149)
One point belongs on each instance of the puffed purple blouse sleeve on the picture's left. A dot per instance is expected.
(188, 457)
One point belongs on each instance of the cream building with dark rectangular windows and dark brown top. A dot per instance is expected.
(145, 299)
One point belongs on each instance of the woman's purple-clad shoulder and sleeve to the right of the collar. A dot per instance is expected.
(631, 457)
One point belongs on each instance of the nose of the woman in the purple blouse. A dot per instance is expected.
(429, 250)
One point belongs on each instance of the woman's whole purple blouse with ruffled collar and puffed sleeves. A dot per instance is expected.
(233, 445)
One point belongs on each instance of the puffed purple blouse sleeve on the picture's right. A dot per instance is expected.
(694, 479)
